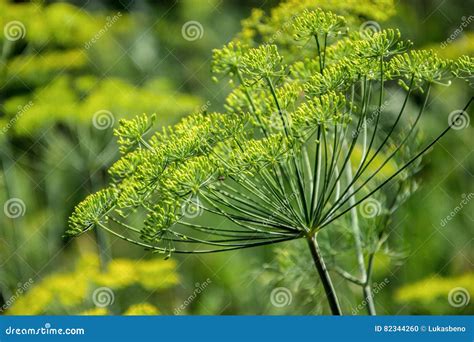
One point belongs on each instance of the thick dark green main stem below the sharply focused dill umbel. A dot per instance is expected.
(324, 275)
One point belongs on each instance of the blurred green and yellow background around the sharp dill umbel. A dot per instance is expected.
(69, 70)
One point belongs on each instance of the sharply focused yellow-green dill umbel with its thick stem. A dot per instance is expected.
(304, 139)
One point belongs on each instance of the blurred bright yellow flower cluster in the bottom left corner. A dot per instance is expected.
(69, 291)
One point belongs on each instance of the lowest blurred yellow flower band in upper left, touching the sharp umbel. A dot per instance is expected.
(76, 101)
